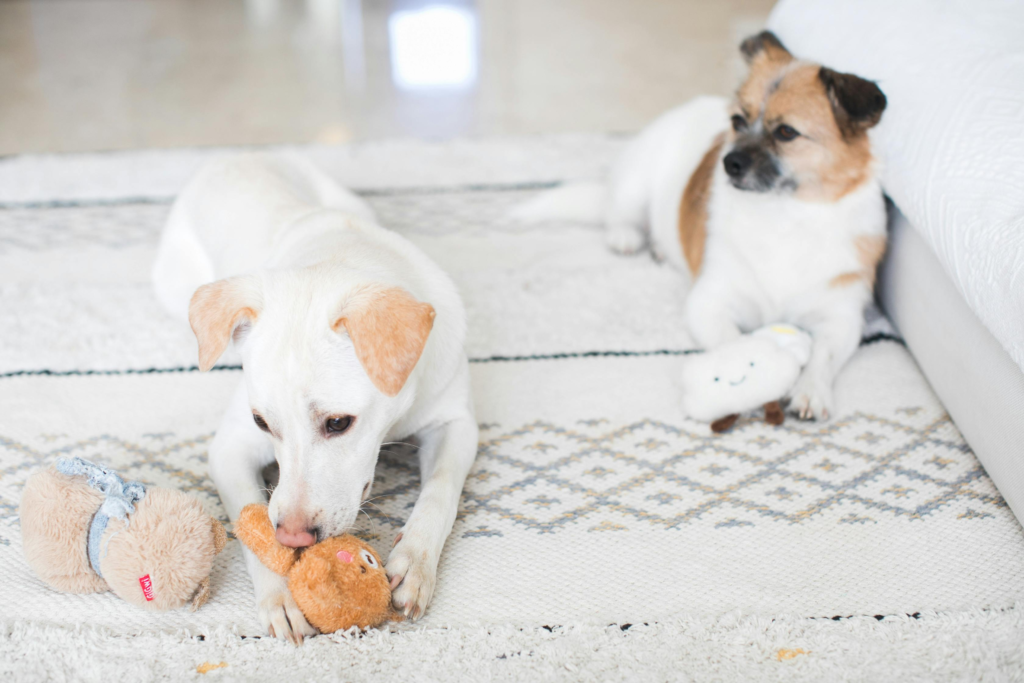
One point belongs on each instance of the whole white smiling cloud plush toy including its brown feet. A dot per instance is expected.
(754, 371)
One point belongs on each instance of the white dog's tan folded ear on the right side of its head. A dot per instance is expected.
(389, 329)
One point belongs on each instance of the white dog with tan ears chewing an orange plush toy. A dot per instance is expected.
(351, 337)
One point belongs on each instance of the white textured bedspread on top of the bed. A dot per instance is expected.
(953, 138)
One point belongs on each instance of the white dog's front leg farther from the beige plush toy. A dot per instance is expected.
(447, 453)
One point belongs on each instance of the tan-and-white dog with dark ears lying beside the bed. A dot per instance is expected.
(777, 218)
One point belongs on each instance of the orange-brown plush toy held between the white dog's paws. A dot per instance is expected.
(338, 583)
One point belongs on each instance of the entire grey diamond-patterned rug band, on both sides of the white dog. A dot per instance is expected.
(545, 478)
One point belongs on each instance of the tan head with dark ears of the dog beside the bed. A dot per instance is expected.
(800, 126)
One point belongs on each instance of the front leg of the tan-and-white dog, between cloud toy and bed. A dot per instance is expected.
(837, 335)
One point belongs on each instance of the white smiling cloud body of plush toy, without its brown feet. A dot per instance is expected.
(740, 377)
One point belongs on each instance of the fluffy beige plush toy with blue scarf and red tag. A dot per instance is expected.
(84, 530)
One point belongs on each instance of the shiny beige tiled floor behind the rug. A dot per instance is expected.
(79, 75)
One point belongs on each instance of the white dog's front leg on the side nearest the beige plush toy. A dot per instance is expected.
(238, 455)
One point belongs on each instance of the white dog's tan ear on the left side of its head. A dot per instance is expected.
(217, 311)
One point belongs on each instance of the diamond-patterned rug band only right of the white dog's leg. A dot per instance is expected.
(545, 478)
